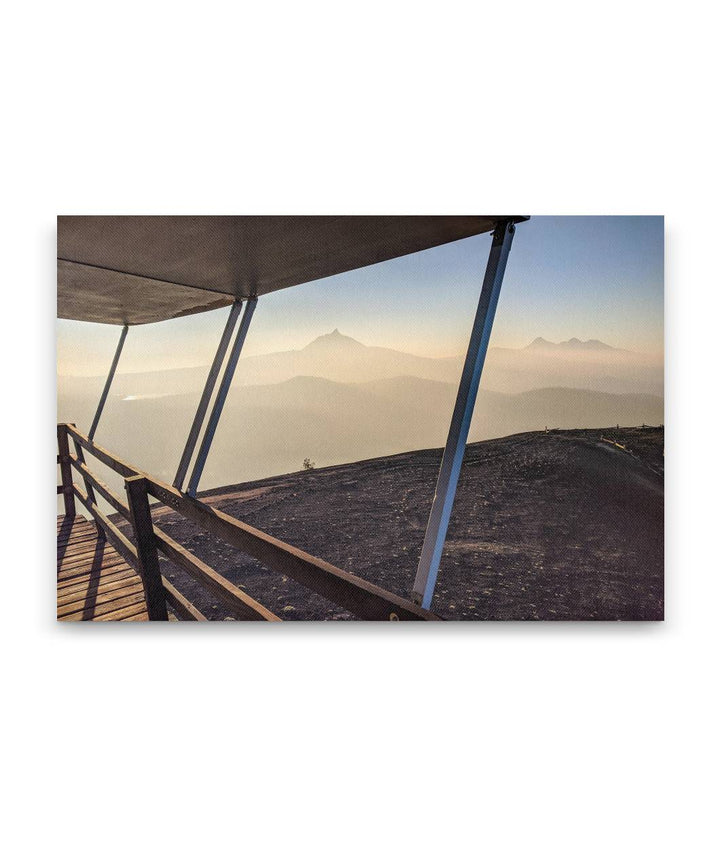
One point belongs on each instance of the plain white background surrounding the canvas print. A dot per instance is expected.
(503, 739)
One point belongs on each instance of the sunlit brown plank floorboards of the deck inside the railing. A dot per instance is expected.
(94, 583)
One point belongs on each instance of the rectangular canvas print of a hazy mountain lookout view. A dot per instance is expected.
(375, 418)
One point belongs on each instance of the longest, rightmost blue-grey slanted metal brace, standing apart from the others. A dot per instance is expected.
(449, 474)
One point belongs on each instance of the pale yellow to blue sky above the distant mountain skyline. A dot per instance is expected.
(590, 277)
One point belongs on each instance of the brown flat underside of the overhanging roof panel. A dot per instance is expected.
(136, 270)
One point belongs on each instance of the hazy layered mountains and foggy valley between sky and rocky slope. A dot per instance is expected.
(337, 401)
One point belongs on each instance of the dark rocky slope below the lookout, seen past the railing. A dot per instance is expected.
(550, 526)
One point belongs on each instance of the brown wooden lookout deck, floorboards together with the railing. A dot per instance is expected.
(121, 578)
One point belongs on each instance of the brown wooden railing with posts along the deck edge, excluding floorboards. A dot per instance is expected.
(359, 597)
